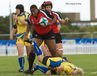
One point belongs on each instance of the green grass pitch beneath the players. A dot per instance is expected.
(9, 65)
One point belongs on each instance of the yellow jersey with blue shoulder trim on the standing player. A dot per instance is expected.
(21, 28)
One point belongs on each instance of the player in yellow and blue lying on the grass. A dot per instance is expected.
(56, 65)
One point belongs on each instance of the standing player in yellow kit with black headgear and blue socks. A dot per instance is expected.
(21, 30)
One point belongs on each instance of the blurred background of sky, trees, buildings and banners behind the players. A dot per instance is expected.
(79, 35)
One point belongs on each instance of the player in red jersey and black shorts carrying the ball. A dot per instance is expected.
(41, 33)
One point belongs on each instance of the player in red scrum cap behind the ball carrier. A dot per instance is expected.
(47, 5)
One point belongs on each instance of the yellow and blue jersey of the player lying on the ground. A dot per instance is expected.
(55, 62)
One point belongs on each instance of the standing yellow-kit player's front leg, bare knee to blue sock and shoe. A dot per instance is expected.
(21, 59)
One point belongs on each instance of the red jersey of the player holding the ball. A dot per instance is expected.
(35, 21)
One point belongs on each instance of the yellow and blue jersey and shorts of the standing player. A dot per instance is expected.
(21, 29)
